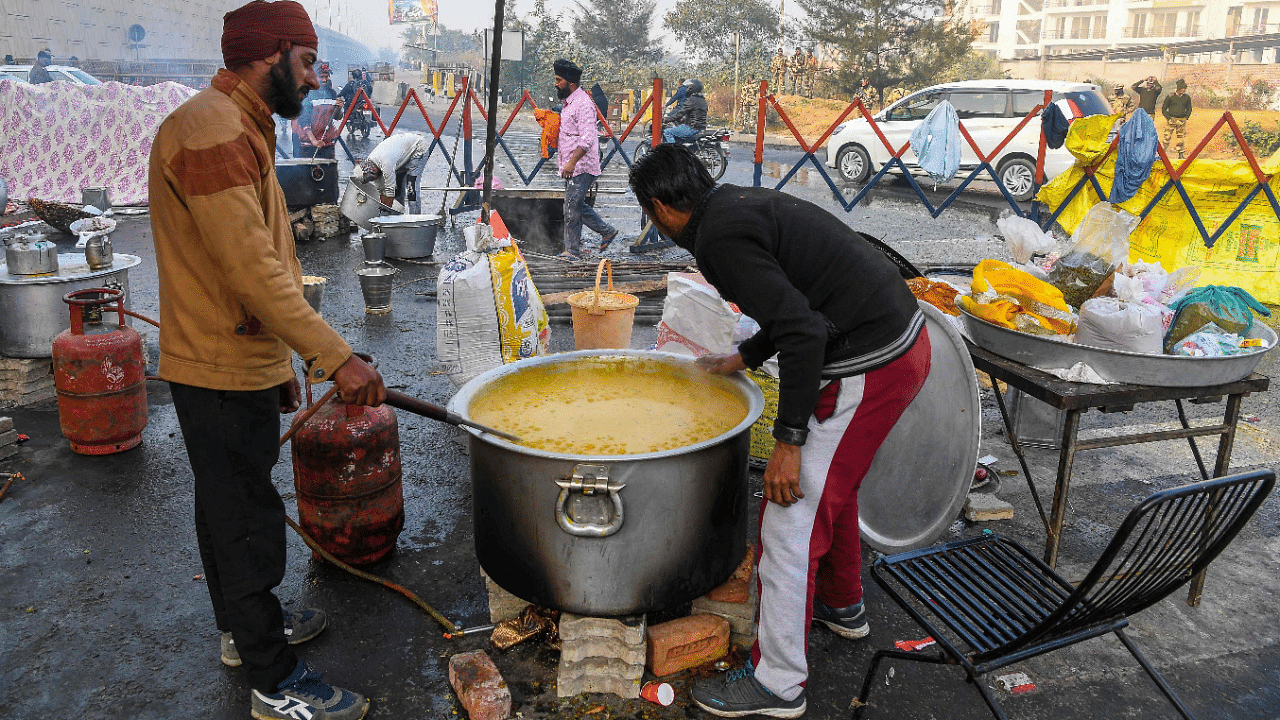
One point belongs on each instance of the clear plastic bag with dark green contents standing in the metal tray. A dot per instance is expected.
(1100, 245)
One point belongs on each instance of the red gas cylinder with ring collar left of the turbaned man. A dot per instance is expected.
(100, 376)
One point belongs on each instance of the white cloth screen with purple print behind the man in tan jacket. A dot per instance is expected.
(61, 138)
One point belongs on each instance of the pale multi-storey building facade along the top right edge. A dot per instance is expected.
(1031, 29)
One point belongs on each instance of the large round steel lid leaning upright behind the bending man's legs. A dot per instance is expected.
(920, 480)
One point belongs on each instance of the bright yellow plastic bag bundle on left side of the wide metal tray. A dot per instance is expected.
(1005, 297)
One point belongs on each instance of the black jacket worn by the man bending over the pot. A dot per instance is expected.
(829, 303)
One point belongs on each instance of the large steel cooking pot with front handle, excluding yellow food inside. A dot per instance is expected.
(610, 535)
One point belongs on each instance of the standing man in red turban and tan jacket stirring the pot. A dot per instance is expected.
(232, 316)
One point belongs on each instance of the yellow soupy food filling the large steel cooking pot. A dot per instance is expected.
(611, 407)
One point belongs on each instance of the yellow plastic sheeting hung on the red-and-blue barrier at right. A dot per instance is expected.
(1246, 256)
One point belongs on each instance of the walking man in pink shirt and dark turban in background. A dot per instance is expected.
(579, 161)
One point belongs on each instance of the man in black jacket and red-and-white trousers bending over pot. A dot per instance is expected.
(853, 353)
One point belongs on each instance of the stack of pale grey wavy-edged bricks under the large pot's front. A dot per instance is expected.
(601, 655)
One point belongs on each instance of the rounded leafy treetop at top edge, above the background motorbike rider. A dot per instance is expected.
(707, 28)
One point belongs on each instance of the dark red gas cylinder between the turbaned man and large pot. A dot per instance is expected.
(348, 476)
